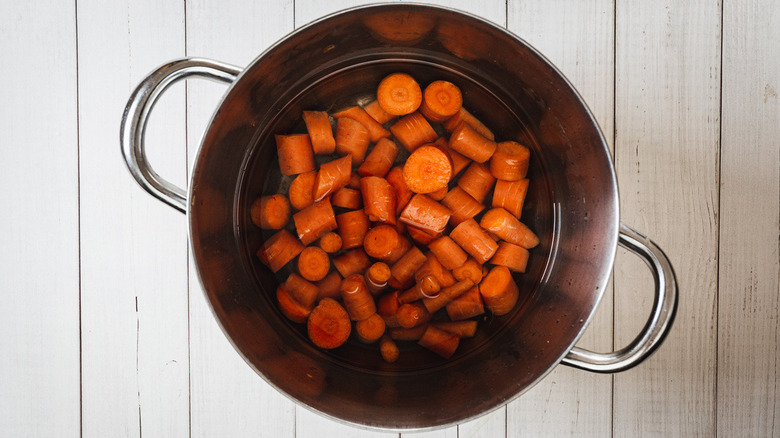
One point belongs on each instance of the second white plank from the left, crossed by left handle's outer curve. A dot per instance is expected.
(134, 254)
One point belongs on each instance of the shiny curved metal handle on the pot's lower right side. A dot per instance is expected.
(657, 326)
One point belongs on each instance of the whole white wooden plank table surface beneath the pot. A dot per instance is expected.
(104, 330)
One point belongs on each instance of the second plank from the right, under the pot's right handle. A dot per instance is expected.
(667, 122)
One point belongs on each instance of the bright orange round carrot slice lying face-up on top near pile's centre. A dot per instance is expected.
(427, 170)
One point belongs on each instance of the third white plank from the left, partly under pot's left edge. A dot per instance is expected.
(228, 397)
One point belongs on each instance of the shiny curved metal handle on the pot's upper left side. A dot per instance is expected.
(133, 128)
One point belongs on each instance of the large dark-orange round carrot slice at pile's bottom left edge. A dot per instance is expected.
(328, 325)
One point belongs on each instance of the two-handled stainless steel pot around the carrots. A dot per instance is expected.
(573, 206)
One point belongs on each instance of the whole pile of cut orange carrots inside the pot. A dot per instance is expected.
(415, 251)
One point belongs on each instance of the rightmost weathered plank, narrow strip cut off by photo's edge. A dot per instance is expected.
(749, 274)
